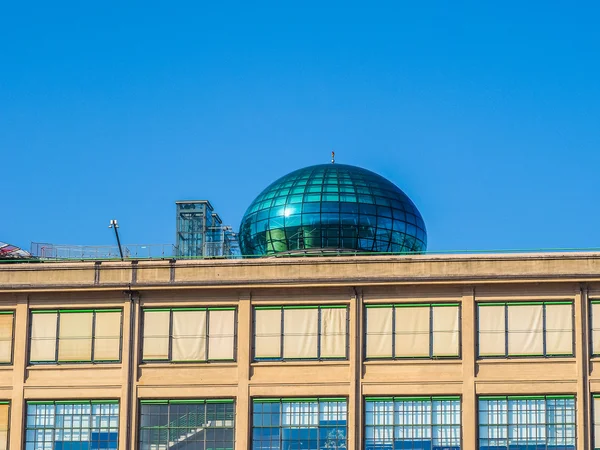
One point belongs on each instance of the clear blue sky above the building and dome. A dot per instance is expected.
(487, 114)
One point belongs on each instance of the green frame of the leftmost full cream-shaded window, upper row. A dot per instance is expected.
(58, 312)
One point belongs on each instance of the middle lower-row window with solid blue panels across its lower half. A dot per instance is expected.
(299, 423)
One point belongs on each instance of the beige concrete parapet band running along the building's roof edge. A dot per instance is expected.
(303, 272)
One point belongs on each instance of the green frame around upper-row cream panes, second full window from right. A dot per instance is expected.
(393, 307)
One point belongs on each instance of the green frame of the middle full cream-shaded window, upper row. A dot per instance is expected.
(282, 308)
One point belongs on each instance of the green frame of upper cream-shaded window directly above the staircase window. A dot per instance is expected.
(169, 359)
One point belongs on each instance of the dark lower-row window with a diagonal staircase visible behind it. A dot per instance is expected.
(189, 423)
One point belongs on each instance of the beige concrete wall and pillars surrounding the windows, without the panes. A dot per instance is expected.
(351, 281)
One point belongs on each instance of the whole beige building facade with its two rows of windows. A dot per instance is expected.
(376, 352)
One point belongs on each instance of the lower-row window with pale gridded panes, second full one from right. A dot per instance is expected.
(412, 422)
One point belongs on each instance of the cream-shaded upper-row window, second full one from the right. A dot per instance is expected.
(413, 330)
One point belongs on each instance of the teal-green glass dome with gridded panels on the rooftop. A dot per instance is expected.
(331, 208)
